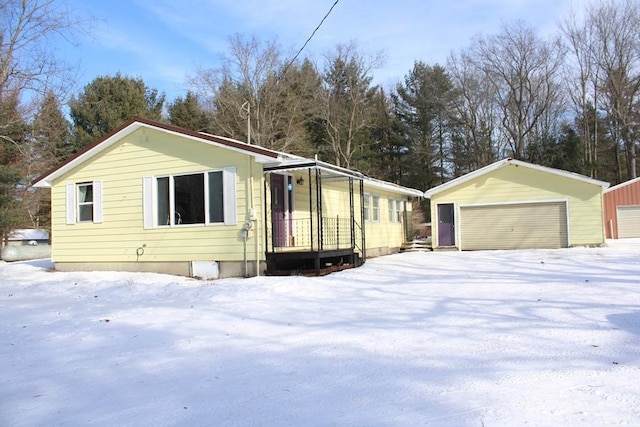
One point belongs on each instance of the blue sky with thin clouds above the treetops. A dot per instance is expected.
(163, 41)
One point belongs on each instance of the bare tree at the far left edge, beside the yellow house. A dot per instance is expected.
(29, 69)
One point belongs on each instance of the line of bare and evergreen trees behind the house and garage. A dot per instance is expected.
(570, 101)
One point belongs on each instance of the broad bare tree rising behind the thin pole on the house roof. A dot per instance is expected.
(253, 98)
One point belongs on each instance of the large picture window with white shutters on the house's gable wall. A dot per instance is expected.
(196, 198)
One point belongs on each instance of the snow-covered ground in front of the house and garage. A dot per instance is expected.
(496, 338)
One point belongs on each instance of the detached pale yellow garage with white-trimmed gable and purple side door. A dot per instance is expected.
(512, 204)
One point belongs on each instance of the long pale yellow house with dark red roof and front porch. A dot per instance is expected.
(155, 197)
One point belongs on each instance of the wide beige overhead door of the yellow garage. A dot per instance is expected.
(514, 226)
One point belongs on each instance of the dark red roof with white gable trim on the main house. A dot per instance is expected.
(262, 155)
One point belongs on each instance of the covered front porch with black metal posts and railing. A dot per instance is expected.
(314, 218)
